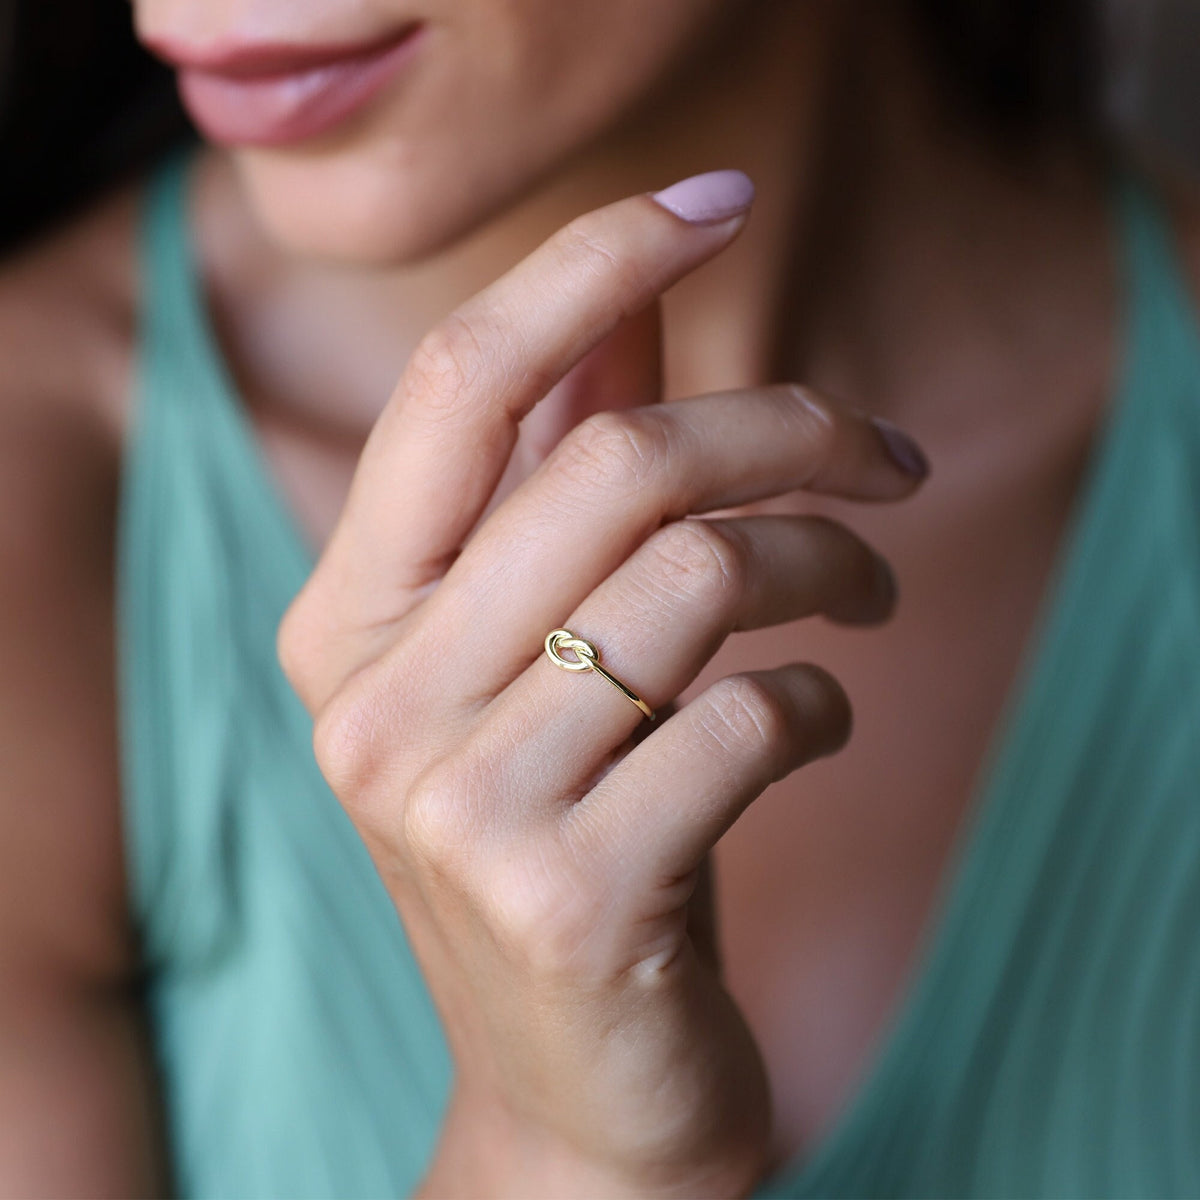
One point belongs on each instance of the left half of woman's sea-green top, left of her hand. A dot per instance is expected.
(301, 1052)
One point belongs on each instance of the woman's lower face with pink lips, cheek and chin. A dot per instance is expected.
(488, 100)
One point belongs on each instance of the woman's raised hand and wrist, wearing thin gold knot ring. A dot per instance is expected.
(542, 856)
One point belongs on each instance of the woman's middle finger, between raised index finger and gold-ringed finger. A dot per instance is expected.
(616, 479)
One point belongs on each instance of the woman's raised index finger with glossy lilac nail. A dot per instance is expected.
(441, 446)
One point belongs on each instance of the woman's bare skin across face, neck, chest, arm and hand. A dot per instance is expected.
(910, 272)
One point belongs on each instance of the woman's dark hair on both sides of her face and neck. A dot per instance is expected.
(83, 106)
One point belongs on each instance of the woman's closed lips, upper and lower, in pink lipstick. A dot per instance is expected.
(272, 94)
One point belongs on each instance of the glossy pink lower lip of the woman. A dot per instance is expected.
(281, 109)
